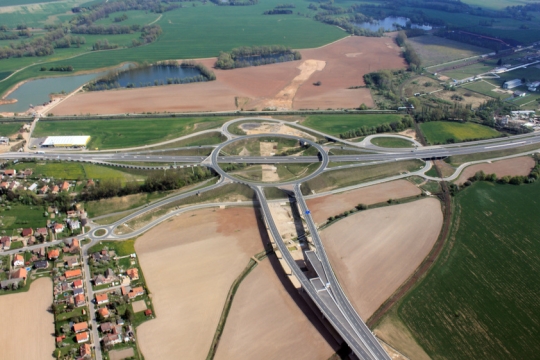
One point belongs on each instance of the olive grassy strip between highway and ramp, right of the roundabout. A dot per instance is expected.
(342, 178)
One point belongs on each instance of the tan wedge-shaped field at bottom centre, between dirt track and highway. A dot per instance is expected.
(268, 321)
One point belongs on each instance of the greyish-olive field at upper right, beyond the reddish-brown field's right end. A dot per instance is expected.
(437, 50)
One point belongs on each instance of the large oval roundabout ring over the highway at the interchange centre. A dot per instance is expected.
(323, 158)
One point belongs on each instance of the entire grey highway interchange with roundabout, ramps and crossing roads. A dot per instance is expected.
(325, 291)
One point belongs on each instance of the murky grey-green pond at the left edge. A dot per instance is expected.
(36, 92)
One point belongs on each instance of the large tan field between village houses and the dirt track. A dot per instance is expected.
(189, 264)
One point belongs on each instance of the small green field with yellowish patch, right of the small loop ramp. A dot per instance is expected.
(439, 132)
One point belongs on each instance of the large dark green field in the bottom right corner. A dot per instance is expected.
(480, 300)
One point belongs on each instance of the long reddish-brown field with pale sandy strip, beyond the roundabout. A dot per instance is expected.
(337, 66)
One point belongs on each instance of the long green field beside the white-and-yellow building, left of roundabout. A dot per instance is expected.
(111, 134)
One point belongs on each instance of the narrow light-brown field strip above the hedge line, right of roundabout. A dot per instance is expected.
(325, 206)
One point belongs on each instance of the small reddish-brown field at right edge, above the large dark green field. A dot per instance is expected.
(516, 166)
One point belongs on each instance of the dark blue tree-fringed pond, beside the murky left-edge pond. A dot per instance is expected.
(147, 76)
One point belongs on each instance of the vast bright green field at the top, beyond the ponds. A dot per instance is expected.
(190, 32)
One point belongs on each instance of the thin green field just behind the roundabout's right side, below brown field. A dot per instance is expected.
(337, 124)
